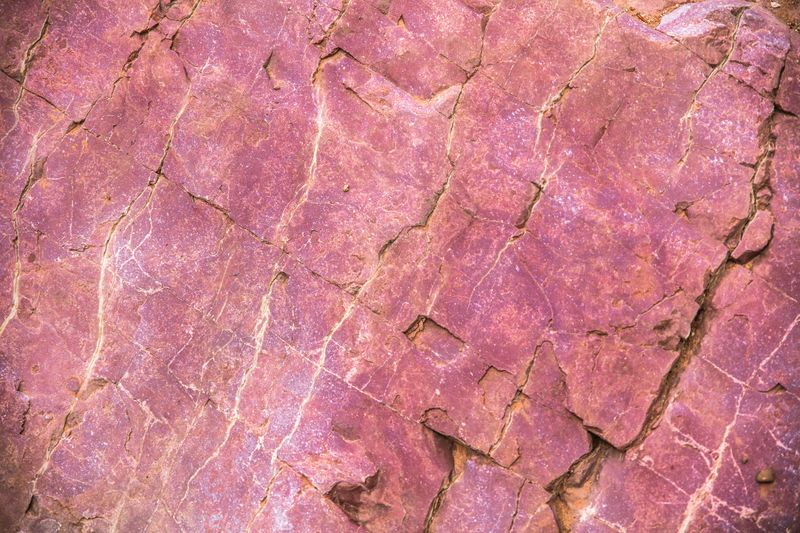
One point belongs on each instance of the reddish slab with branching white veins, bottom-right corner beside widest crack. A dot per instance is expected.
(707, 462)
